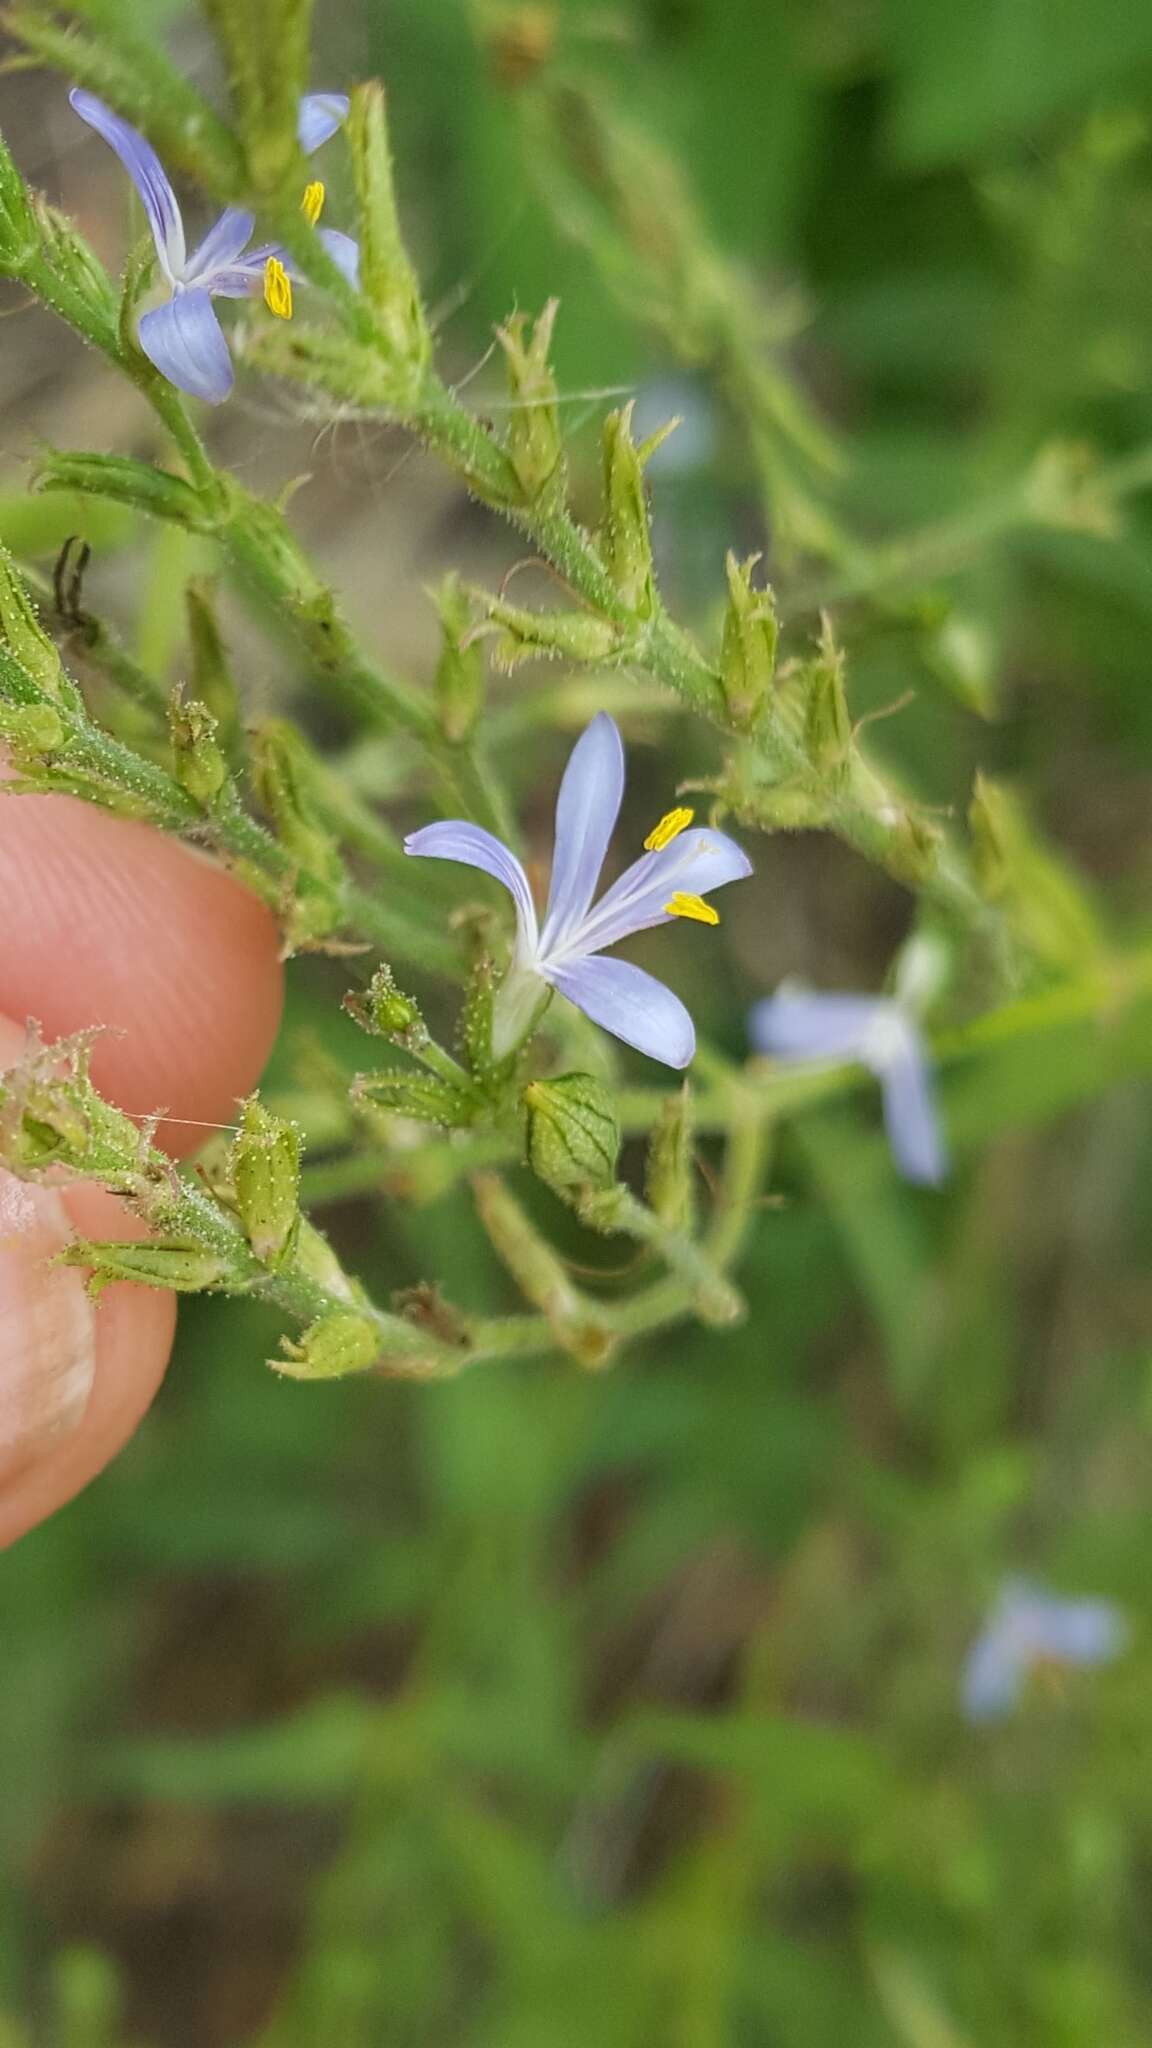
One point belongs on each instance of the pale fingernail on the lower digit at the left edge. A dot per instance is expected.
(48, 1326)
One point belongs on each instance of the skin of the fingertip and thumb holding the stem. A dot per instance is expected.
(108, 923)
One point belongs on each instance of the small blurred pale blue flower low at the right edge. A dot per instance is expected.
(1028, 1631)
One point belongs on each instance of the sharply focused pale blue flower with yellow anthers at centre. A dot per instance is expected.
(671, 880)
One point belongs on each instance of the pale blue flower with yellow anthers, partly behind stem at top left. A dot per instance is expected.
(183, 337)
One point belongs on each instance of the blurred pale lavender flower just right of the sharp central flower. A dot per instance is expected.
(882, 1035)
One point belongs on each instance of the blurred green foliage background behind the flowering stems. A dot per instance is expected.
(546, 1711)
